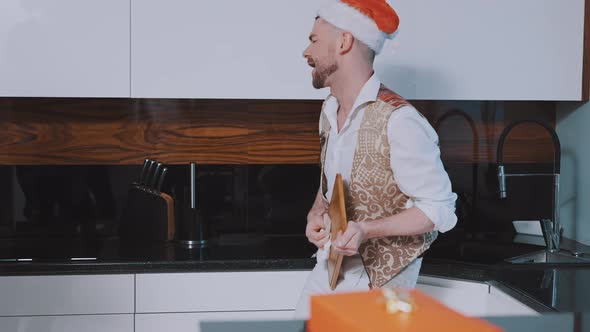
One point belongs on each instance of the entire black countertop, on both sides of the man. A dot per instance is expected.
(545, 287)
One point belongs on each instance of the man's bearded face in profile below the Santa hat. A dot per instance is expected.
(320, 54)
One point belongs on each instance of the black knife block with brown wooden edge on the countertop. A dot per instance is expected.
(148, 216)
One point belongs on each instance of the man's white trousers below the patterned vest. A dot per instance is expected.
(354, 279)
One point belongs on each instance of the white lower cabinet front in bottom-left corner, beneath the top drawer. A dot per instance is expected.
(79, 323)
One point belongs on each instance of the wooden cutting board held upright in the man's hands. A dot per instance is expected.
(337, 213)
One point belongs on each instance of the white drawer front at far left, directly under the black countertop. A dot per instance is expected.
(62, 295)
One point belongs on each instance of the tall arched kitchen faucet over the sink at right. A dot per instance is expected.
(551, 230)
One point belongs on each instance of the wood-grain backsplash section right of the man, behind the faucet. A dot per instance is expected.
(471, 132)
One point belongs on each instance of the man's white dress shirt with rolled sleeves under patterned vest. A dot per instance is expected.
(415, 155)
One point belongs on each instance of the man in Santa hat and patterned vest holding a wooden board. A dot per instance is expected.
(398, 194)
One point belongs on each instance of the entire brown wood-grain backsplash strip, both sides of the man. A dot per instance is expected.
(71, 131)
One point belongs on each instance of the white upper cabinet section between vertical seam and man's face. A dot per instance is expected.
(221, 49)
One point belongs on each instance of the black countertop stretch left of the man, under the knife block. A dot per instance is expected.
(107, 256)
